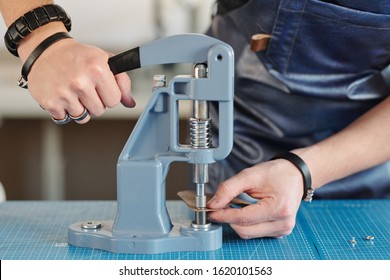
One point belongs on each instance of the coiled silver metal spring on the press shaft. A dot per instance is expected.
(200, 133)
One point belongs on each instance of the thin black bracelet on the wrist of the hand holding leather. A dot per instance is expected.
(308, 192)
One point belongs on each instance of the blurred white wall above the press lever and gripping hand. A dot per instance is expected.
(123, 23)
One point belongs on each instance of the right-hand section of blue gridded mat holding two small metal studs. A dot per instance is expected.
(334, 227)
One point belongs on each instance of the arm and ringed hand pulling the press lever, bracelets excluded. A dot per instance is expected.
(69, 76)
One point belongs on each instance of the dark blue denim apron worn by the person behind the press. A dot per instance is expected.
(325, 65)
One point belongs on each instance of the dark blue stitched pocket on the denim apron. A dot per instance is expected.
(318, 37)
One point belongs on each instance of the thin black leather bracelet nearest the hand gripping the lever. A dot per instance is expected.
(32, 58)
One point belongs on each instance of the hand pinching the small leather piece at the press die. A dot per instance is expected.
(277, 184)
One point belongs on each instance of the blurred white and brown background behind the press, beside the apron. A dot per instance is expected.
(41, 160)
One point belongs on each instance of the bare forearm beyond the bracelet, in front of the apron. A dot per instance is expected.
(363, 144)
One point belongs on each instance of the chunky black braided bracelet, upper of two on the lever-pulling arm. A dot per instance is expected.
(32, 20)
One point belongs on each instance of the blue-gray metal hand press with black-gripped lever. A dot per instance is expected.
(142, 223)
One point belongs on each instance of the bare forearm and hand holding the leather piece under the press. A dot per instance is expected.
(278, 183)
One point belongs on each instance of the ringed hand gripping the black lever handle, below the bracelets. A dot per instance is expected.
(70, 77)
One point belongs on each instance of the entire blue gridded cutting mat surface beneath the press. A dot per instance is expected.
(38, 231)
